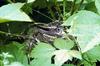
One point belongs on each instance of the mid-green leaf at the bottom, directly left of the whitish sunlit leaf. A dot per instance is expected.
(42, 54)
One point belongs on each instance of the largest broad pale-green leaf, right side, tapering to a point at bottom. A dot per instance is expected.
(86, 26)
